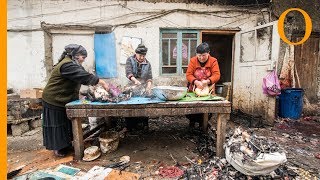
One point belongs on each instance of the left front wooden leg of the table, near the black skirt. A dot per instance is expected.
(77, 138)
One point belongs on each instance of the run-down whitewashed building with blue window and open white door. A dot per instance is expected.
(242, 34)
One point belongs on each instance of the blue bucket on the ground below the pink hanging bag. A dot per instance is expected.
(291, 103)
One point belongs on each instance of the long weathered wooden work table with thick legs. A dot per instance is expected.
(76, 112)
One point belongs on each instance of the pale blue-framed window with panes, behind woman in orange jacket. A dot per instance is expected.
(177, 47)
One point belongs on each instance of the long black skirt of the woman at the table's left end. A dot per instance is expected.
(57, 128)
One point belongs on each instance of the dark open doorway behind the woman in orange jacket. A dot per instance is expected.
(221, 48)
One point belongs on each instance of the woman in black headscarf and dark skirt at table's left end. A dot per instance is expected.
(62, 87)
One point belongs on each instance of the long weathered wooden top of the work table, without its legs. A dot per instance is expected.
(153, 109)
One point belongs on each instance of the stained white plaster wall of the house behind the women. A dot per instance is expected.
(26, 16)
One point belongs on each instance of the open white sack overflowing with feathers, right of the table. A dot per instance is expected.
(253, 155)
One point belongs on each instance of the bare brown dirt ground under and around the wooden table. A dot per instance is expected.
(169, 141)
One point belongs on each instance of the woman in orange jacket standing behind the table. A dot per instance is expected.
(203, 70)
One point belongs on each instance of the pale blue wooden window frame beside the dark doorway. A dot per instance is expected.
(179, 33)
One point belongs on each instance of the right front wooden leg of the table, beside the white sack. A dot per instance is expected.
(221, 133)
